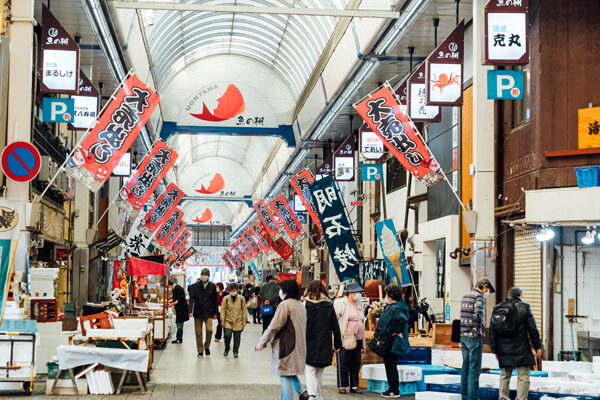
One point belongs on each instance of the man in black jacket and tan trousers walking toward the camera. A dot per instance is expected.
(204, 308)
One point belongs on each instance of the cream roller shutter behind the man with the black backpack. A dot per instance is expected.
(528, 271)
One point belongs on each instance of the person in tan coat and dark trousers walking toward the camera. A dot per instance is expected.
(233, 319)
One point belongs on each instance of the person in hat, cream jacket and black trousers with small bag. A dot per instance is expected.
(351, 319)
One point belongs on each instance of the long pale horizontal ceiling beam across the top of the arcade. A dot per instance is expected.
(313, 12)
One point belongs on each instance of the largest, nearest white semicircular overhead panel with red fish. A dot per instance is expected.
(228, 103)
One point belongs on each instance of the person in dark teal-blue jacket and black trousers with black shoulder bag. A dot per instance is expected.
(393, 323)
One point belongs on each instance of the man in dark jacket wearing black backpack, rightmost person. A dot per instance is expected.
(512, 335)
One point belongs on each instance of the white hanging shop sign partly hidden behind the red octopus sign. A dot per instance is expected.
(417, 107)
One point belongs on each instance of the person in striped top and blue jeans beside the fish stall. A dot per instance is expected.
(471, 337)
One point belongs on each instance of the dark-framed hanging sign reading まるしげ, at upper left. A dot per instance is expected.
(59, 67)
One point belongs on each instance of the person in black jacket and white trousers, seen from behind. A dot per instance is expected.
(321, 323)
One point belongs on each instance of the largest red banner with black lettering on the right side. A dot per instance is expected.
(385, 116)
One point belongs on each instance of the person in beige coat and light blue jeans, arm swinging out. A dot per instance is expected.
(287, 332)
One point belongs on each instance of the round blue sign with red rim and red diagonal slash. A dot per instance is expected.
(21, 161)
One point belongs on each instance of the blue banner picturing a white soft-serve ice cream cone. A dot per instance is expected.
(392, 252)
